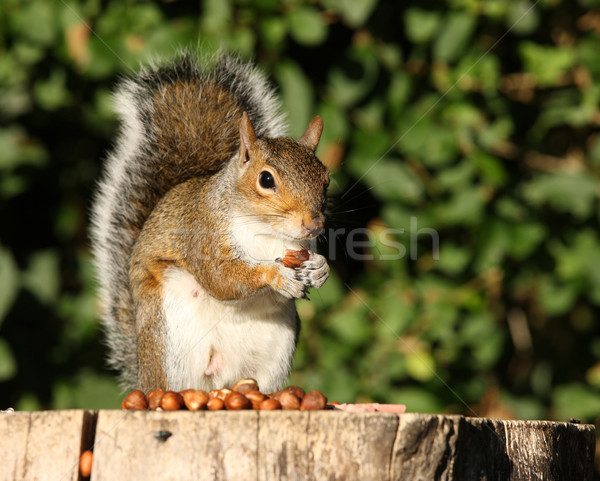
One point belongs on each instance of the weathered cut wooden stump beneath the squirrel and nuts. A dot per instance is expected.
(290, 445)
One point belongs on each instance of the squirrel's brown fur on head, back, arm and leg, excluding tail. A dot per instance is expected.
(189, 229)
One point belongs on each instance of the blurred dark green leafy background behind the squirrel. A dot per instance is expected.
(472, 122)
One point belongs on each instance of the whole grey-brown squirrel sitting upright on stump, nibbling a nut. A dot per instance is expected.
(199, 199)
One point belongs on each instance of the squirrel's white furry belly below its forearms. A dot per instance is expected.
(211, 344)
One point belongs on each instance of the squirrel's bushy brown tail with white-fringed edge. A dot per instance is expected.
(178, 121)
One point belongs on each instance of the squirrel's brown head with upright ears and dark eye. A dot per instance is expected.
(283, 183)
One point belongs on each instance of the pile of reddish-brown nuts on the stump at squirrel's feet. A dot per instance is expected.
(244, 394)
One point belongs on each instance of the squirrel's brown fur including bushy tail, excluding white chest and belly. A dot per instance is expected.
(169, 191)
